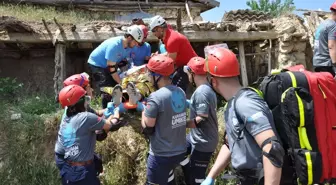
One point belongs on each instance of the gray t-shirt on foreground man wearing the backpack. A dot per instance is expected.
(246, 153)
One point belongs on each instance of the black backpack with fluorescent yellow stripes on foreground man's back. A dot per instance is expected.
(287, 95)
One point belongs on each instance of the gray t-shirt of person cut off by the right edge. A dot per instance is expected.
(325, 31)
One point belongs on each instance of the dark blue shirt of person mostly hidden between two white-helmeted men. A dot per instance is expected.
(140, 53)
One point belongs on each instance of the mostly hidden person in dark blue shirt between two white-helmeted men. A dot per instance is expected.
(142, 53)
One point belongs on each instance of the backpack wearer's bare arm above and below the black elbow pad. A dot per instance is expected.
(272, 174)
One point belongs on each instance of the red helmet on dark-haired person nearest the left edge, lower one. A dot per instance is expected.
(70, 95)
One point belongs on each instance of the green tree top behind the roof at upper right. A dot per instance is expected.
(274, 7)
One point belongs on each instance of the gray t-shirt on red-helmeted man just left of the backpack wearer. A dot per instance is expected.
(204, 101)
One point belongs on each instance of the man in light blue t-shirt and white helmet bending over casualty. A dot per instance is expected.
(105, 60)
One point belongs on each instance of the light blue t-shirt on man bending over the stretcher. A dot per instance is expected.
(111, 49)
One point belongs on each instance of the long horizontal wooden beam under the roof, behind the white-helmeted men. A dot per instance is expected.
(90, 36)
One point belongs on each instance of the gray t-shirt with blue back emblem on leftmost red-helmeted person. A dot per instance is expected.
(77, 136)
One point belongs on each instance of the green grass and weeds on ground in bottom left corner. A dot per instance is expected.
(25, 154)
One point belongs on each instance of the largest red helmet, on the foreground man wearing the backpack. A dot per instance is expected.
(222, 62)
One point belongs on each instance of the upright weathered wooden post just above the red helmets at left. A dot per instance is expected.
(60, 67)
